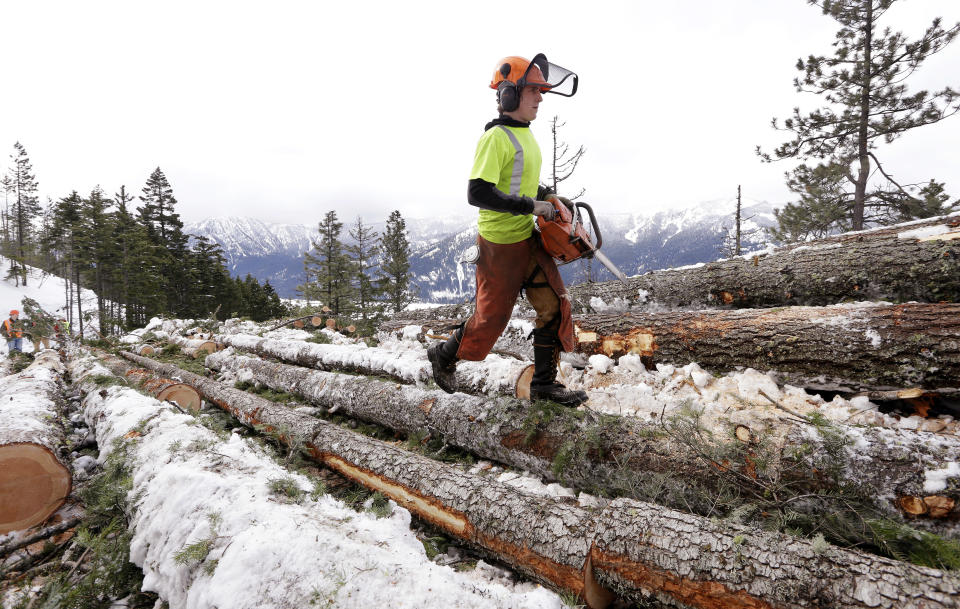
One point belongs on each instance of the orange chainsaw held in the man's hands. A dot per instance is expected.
(566, 239)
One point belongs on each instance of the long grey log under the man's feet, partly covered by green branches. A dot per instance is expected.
(602, 457)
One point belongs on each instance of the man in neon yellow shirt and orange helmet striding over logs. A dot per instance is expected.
(504, 184)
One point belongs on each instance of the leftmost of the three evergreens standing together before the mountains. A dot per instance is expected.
(328, 268)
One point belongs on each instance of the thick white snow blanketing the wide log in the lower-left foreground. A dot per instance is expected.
(261, 548)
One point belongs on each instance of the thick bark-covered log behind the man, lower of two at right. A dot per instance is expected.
(868, 347)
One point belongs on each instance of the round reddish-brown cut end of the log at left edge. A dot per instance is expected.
(33, 485)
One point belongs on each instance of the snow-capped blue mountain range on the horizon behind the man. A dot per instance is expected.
(636, 242)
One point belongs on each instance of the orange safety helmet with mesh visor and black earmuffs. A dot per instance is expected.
(514, 73)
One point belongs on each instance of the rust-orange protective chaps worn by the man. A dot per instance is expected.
(502, 272)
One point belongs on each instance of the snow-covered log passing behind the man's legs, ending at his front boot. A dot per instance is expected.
(407, 362)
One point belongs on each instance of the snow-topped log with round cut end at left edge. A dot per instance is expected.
(34, 480)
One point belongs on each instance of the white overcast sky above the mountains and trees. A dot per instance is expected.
(285, 110)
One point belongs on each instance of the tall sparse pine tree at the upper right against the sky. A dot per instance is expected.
(868, 103)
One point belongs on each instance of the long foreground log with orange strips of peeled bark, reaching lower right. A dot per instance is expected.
(642, 548)
